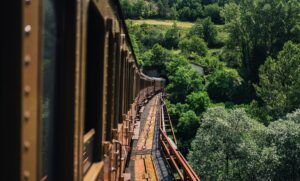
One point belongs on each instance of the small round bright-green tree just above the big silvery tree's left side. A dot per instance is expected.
(198, 101)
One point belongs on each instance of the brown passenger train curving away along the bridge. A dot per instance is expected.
(70, 90)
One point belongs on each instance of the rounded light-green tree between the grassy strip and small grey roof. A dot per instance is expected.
(193, 45)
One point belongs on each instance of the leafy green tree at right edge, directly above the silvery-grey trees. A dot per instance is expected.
(280, 81)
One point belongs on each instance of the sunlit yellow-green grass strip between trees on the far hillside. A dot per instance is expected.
(180, 24)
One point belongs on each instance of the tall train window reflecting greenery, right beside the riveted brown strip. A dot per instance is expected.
(48, 80)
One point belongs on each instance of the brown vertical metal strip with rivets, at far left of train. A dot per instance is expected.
(30, 90)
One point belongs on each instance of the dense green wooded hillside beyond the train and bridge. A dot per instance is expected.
(239, 118)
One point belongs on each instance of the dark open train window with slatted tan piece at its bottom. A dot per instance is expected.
(94, 87)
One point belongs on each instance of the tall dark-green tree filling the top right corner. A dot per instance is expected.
(259, 28)
